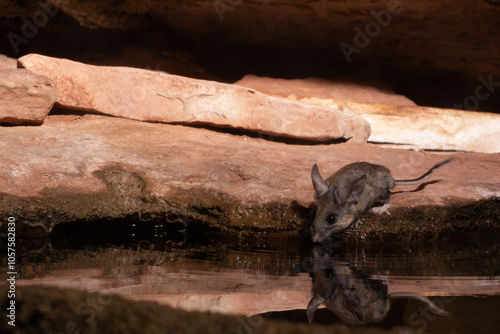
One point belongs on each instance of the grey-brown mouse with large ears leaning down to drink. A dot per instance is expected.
(350, 192)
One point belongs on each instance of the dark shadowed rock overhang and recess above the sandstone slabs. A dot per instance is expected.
(383, 39)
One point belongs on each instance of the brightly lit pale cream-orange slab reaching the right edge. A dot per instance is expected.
(424, 127)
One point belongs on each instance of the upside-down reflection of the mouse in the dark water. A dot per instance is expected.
(351, 294)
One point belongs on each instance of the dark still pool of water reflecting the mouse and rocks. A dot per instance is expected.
(440, 287)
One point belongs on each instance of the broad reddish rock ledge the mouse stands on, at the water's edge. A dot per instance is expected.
(95, 166)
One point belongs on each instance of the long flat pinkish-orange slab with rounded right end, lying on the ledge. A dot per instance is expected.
(159, 97)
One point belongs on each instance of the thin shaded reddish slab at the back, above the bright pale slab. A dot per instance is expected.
(344, 89)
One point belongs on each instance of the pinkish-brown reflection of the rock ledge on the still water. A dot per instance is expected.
(230, 279)
